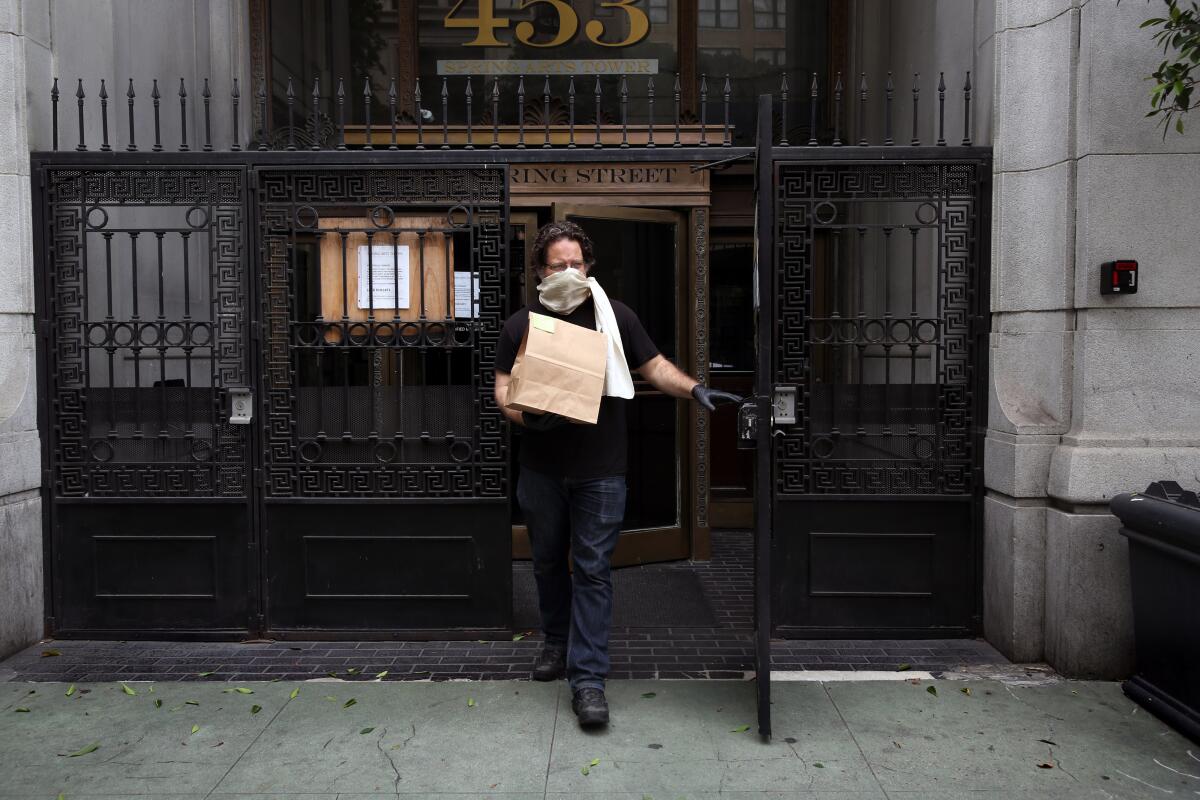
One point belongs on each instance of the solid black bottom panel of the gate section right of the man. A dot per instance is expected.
(874, 569)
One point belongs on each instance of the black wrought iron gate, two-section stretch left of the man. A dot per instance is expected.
(268, 396)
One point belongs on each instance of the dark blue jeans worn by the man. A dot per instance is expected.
(581, 518)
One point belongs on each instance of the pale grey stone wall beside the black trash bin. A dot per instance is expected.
(1093, 395)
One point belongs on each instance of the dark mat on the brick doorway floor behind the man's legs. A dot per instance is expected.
(644, 597)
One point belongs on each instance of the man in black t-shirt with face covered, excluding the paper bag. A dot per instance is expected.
(573, 477)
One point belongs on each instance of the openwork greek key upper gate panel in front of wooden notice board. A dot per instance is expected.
(382, 402)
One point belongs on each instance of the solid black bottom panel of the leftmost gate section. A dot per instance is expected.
(152, 570)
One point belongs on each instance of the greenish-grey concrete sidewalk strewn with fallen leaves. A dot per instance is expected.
(518, 741)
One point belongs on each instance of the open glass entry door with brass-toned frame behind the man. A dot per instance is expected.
(639, 262)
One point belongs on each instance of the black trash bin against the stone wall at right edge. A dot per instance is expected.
(1163, 528)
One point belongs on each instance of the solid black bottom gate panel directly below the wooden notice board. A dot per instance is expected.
(388, 570)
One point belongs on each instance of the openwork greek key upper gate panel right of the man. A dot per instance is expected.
(875, 305)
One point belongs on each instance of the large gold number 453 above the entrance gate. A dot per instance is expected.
(485, 23)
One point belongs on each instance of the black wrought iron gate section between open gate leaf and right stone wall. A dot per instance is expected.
(874, 266)
